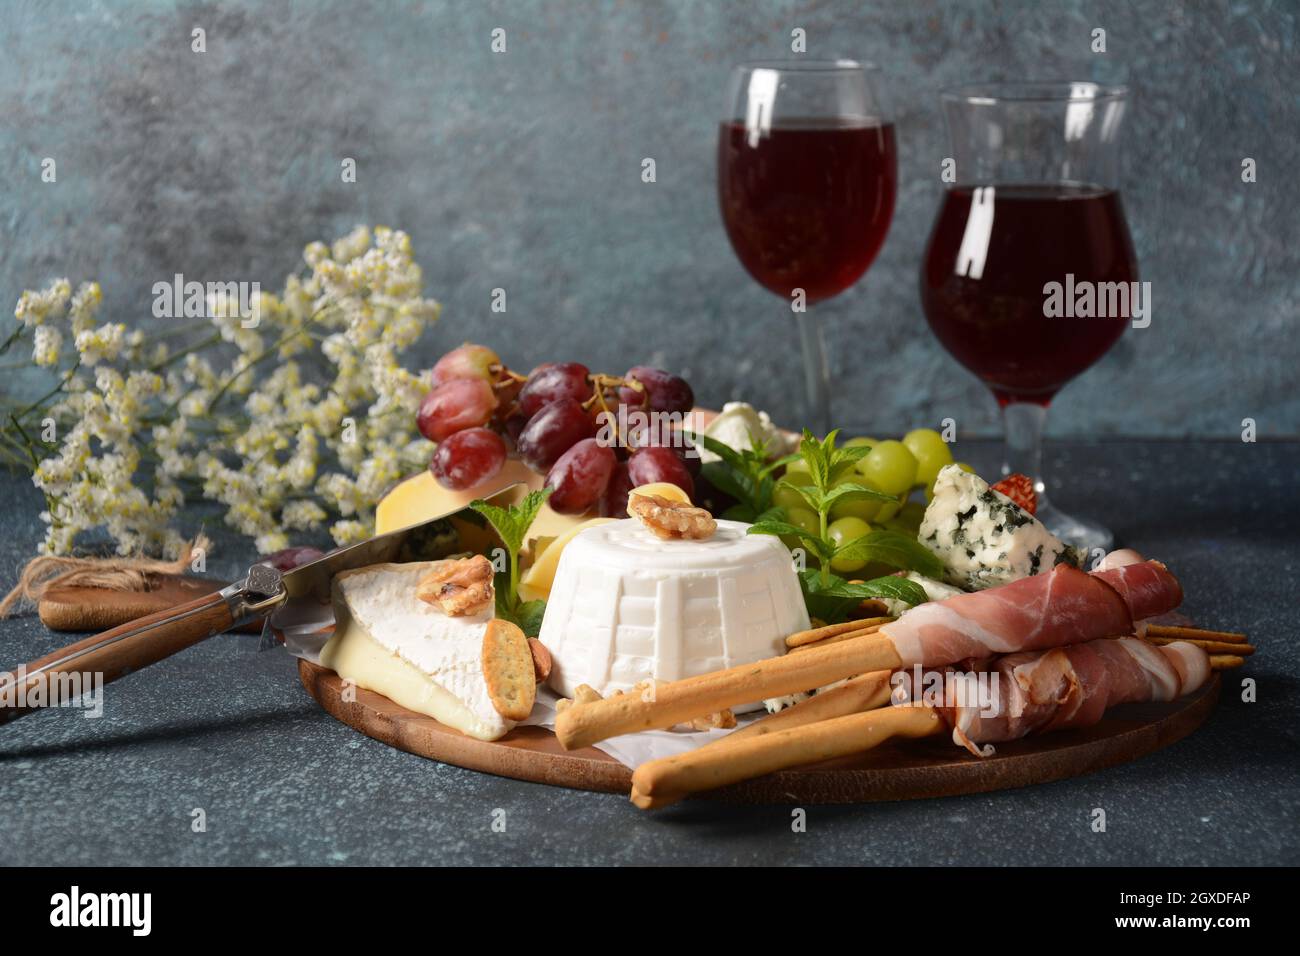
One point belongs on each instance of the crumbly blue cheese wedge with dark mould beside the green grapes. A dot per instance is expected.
(983, 538)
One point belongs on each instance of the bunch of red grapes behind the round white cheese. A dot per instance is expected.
(479, 408)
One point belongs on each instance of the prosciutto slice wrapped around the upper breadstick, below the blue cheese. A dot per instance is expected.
(1051, 611)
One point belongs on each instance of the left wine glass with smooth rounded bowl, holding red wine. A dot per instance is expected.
(807, 181)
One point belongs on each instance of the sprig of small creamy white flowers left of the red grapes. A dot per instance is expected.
(141, 430)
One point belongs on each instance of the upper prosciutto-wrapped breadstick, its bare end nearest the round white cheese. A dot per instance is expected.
(1065, 607)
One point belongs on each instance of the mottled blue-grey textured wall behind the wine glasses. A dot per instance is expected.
(523, 171)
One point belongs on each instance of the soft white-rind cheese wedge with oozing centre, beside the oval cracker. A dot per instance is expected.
(391, 642)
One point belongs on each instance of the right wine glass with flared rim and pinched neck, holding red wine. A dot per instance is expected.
(1033, 219)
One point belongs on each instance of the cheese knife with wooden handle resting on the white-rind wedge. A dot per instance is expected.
(62, 676)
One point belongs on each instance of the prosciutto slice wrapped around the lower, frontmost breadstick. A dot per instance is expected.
(1072, 687)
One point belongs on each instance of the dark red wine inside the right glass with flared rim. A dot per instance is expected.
(993, 252)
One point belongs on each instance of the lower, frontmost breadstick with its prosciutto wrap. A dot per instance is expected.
(1038, 693)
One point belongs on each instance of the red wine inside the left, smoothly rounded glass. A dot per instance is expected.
(809, 204)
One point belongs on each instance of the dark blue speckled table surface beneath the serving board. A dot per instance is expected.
(227, 729)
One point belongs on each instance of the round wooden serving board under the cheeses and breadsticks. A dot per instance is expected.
(903, 771)
